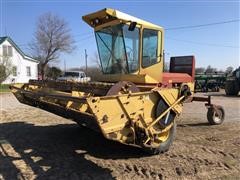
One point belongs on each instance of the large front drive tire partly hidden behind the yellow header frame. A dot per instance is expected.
(164, 146)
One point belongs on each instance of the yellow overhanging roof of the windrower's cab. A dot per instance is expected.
(115, 14)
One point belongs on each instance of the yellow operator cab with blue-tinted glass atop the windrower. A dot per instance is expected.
(129, 48)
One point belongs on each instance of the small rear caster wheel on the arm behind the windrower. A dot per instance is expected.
(215, 115)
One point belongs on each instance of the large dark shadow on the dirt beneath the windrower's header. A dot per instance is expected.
(62, 148)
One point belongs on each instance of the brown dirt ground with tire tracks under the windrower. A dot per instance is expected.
(35, 144)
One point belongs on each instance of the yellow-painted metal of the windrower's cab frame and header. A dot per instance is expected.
(121, 117)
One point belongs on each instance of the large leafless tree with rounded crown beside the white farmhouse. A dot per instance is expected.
(52, 37)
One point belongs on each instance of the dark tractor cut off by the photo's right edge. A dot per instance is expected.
(232, 84)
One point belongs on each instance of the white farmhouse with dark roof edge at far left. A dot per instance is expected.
(23, 66)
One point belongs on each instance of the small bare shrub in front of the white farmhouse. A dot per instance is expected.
(5, 68)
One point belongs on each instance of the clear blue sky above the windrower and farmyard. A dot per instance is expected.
(216, 45)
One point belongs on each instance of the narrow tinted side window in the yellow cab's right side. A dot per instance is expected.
(150, 47)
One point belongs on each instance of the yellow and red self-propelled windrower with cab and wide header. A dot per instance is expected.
(134, 101)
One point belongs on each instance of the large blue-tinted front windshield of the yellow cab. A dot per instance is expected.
(118, 49)
